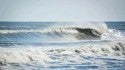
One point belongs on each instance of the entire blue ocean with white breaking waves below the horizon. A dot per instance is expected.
(62, 46)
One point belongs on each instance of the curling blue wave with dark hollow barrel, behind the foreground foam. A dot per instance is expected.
(63, 31)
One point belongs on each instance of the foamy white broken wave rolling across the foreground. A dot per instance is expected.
(68, 54)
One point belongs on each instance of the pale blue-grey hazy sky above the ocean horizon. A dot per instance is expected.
(62, 10)
